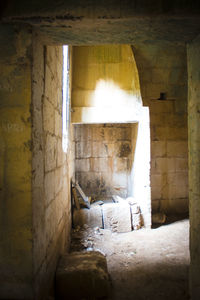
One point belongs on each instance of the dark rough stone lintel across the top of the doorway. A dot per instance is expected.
(111, 21)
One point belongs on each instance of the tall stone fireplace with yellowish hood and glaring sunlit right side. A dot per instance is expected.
(110, 125)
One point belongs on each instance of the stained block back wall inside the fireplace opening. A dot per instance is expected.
(105, 158)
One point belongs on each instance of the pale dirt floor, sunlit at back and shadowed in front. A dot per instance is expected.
(148, 264)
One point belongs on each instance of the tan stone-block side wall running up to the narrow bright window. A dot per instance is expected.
(51, 187)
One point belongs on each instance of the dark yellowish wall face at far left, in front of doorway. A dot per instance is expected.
(15, 163)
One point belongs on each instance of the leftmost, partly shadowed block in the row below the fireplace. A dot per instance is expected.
(92, 217)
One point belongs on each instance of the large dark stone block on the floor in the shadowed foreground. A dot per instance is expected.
(82, 275)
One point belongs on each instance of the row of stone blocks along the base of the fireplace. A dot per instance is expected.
(122, 215)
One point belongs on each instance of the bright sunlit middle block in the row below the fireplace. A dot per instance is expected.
(117, 217)
